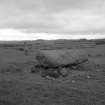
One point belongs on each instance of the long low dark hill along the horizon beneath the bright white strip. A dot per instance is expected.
(51, 44)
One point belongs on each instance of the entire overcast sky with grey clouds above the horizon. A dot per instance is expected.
(51, 19)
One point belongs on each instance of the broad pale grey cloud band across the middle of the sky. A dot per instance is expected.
(67, 21)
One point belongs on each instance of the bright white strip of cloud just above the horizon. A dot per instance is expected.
(14, 34)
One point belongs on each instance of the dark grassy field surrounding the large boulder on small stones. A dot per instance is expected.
(18, 86)
